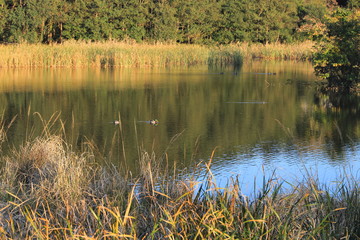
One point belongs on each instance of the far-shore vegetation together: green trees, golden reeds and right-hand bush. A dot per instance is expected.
(333, 24)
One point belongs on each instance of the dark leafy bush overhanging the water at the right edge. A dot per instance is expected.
(337, 58)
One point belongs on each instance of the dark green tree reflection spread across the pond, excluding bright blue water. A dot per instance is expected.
(195, 104)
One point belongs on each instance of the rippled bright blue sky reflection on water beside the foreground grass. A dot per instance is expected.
(291, 165)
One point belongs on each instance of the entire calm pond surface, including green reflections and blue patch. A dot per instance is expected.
(255, 121)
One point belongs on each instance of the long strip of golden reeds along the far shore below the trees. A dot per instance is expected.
(120, 54)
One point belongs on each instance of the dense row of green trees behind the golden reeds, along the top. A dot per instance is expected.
(183, 21)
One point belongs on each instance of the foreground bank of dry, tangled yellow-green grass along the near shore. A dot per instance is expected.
(50, 192)
